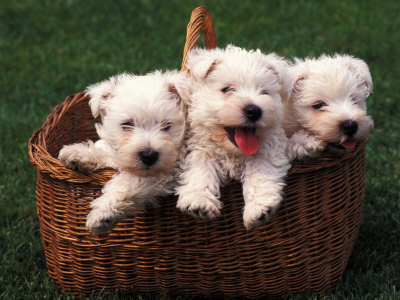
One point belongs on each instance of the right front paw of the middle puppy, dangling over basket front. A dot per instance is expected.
(256, 214)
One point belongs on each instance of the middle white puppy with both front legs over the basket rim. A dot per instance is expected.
(235, 116)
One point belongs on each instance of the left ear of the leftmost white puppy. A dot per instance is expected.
(100, 93)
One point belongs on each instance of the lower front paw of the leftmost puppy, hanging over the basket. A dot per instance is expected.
(100, 221)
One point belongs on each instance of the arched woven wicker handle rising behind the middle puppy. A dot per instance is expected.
(200, 21)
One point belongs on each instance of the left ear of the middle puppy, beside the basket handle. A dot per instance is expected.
(201, 63)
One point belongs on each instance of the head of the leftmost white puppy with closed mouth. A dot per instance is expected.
(142, 119)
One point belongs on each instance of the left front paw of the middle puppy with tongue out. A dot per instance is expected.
(200, 206)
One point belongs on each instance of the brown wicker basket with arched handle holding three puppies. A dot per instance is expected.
(305, 246)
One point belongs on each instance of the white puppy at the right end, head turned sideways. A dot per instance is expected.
(325, 107)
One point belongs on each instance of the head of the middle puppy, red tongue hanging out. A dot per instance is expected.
(237, 95)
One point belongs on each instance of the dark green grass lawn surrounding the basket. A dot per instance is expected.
(49, 49)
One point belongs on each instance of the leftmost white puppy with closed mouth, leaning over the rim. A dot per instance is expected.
(141, 135)
